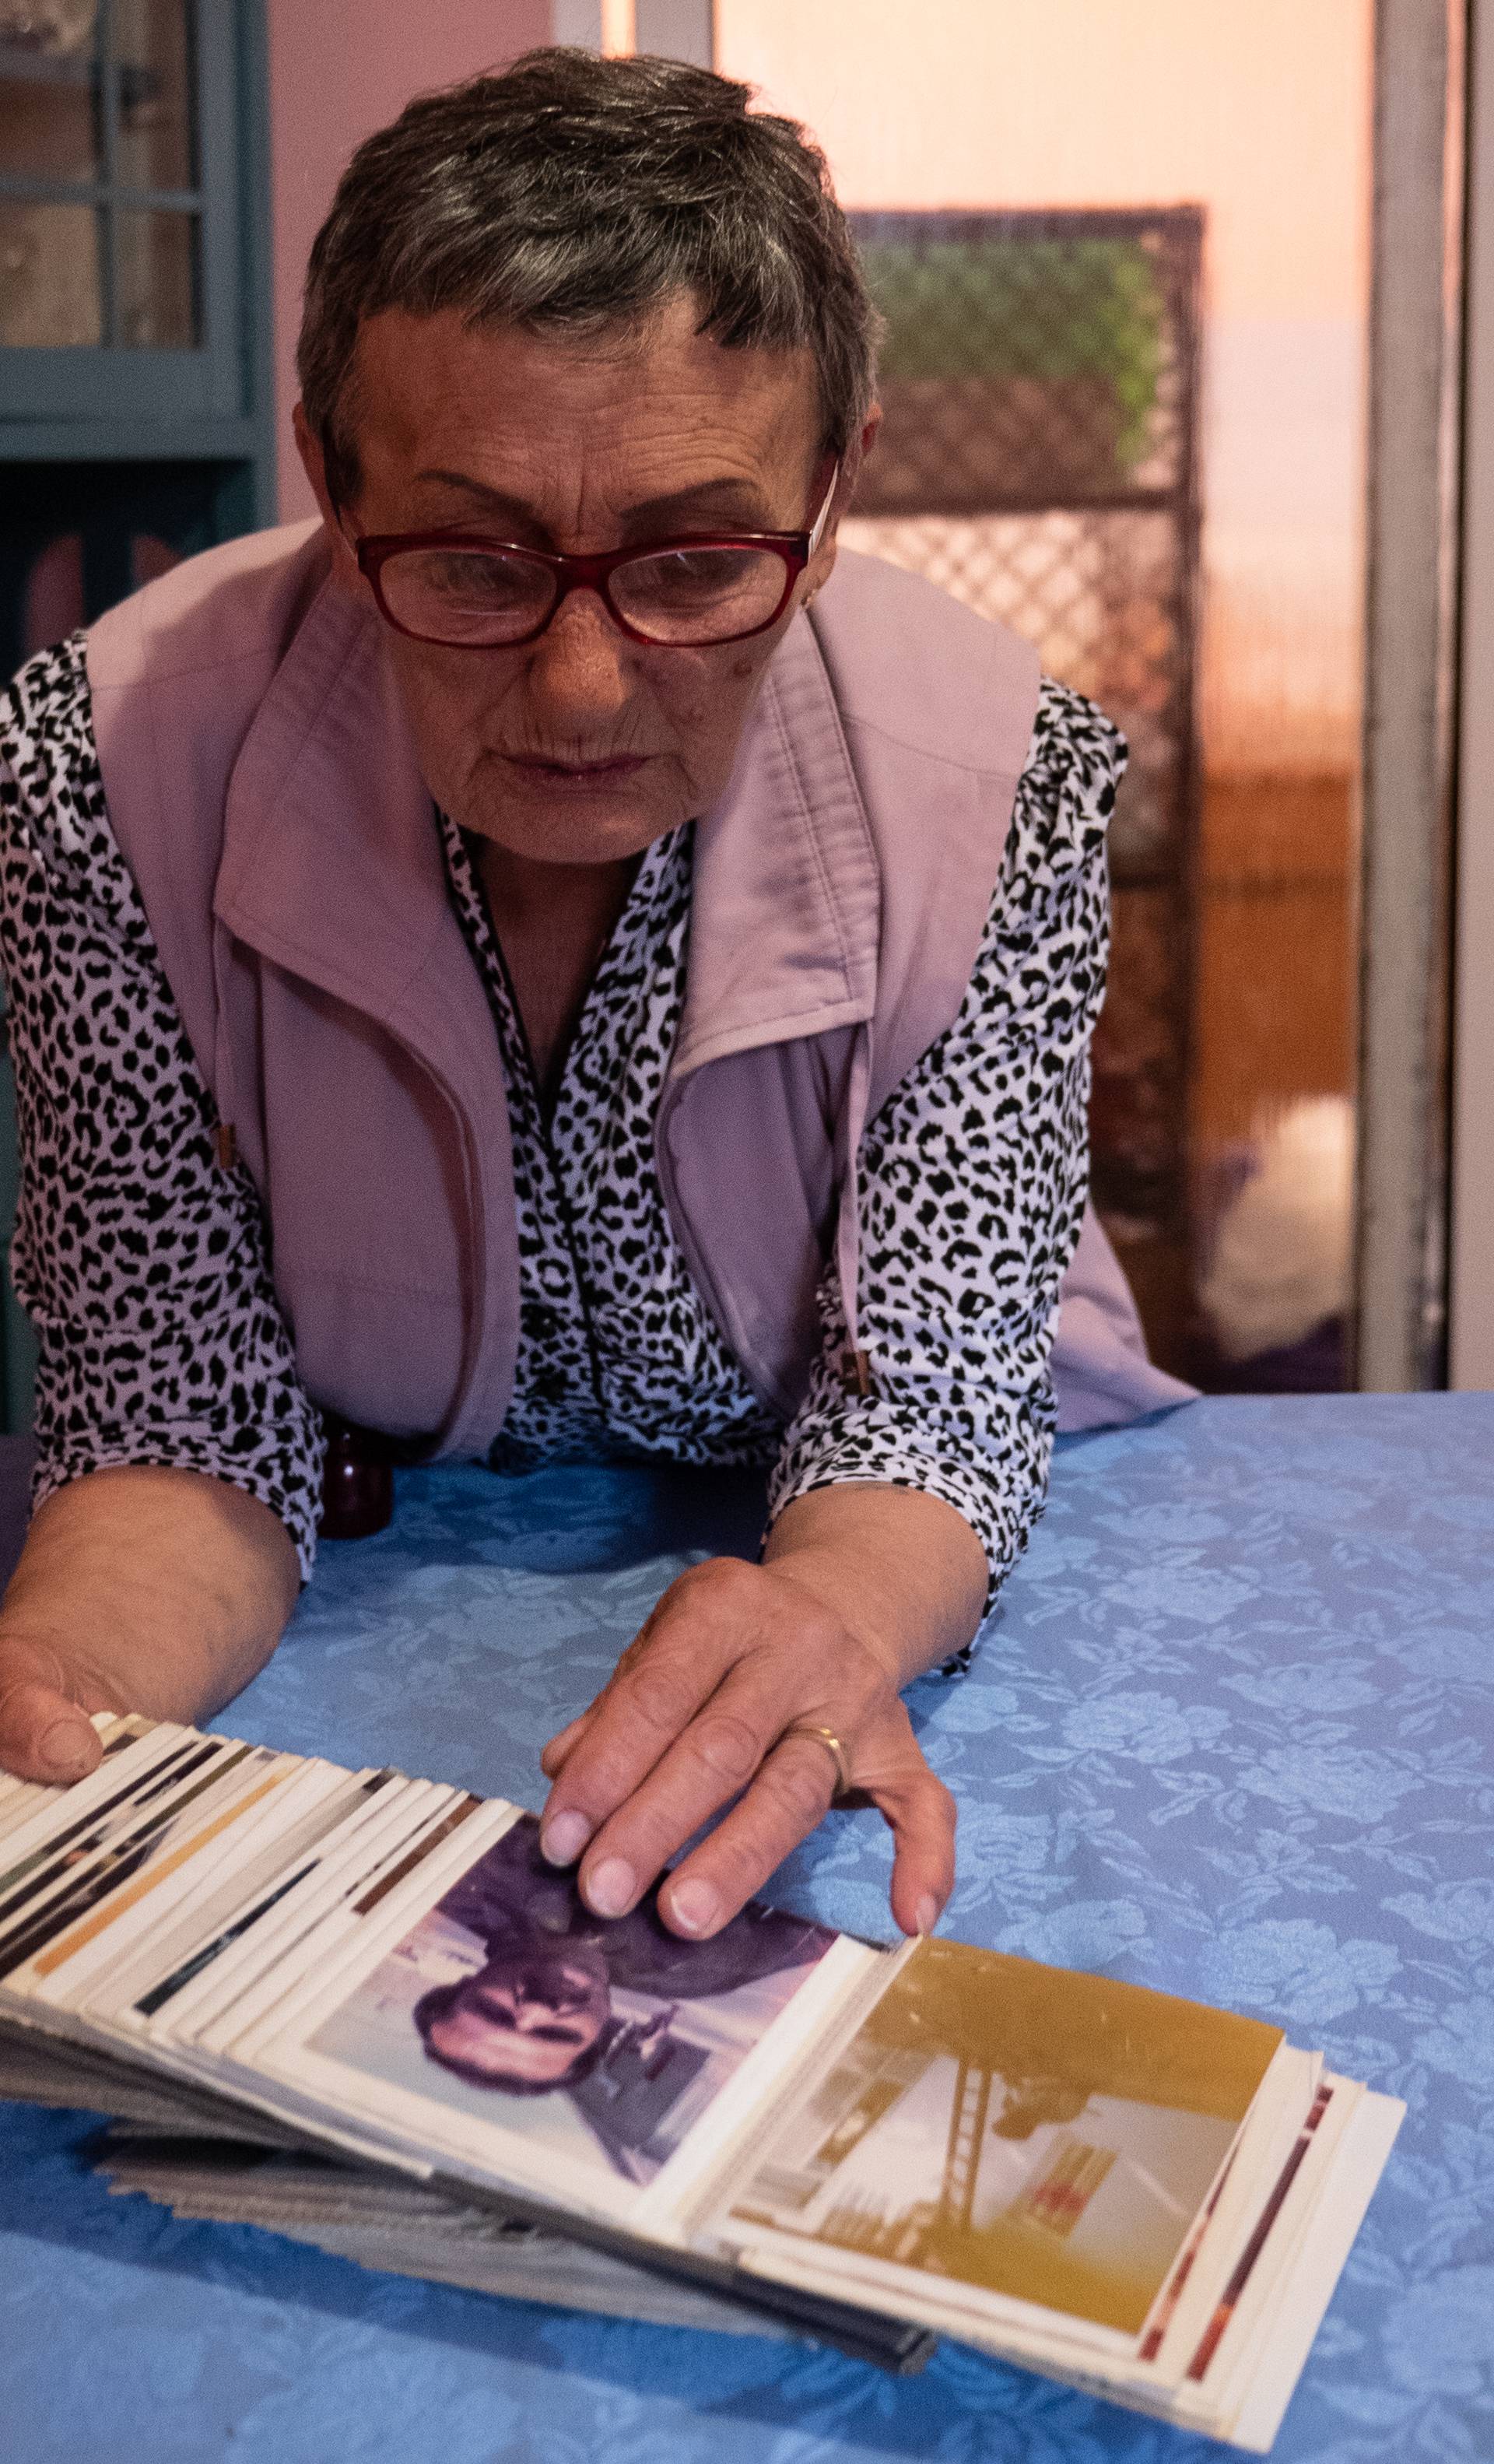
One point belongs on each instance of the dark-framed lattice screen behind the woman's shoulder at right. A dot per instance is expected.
(1039, 462)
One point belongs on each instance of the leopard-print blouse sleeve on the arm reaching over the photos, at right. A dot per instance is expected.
(973, 1184)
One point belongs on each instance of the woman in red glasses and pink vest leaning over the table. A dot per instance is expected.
(536, 967)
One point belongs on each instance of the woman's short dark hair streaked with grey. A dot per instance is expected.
(576, 193)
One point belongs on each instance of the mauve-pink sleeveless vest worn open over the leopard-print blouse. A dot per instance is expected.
(267, 800)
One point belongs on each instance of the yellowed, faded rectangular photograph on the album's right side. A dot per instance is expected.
(1027, 2133)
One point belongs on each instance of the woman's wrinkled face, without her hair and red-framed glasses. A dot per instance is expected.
(583, 745)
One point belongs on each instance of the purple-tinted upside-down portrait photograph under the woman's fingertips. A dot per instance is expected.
(514, 2004)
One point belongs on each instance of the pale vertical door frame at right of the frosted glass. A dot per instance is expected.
(1409, 694)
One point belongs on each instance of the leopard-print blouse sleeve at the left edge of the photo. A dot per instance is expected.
(142, 1263)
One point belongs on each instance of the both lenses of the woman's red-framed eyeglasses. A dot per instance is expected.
(684, 598)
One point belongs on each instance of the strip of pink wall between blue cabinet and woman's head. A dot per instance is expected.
(339, 70)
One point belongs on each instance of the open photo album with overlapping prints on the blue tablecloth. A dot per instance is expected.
(364, 2012)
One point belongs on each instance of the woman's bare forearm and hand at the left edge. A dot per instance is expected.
(137, 1591)
